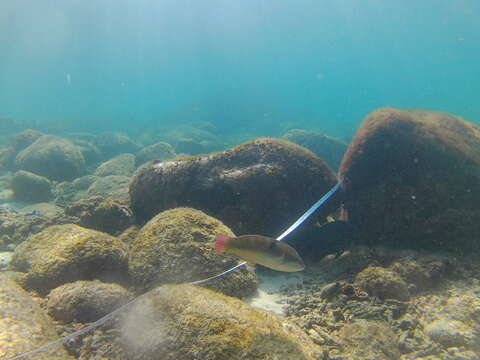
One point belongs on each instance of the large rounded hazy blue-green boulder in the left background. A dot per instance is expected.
(53, 157)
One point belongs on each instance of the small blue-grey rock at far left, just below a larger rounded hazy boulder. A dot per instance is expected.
(30, 187)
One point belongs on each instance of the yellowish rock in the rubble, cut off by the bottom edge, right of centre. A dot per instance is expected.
(365, 339)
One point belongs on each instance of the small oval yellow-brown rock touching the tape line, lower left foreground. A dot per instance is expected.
(85, 301)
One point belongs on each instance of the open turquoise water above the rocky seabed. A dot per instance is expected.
(259, 66)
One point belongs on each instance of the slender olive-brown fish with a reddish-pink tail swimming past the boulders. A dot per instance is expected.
(261, 250)
